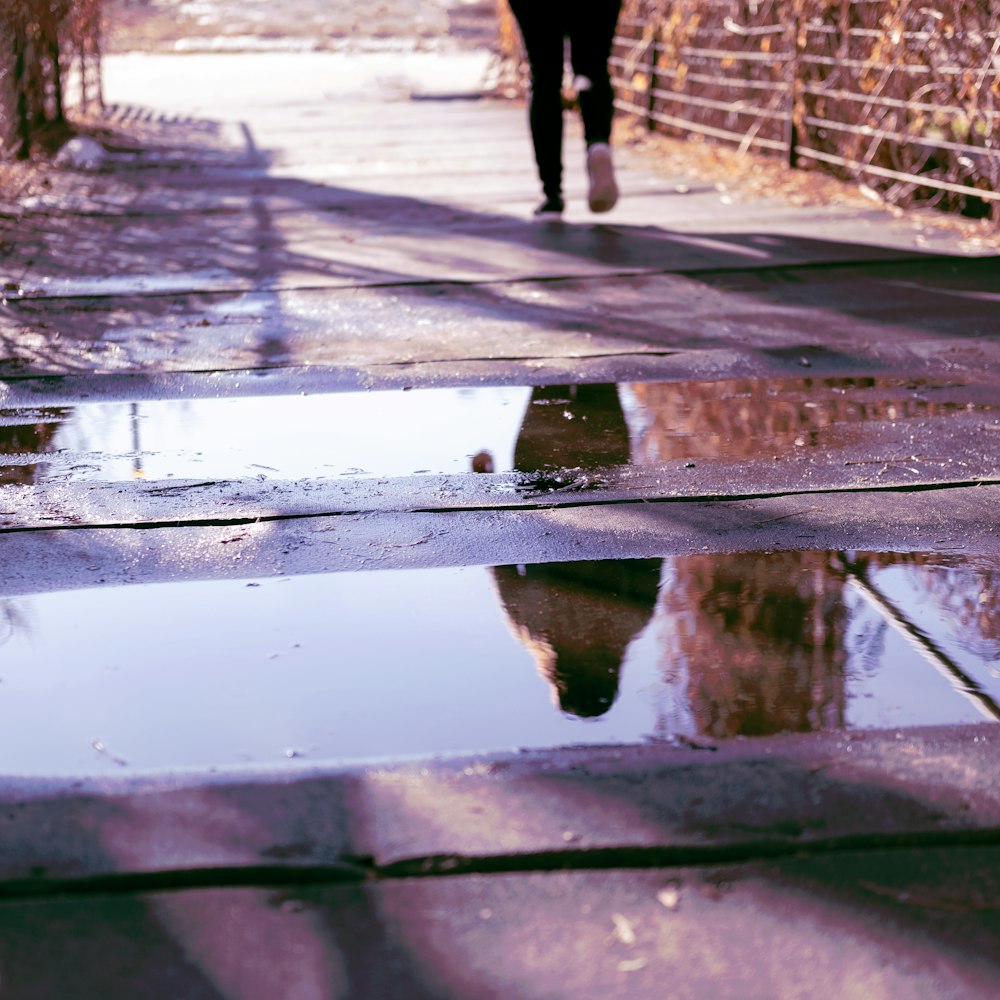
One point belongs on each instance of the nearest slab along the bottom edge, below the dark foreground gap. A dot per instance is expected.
(918, 924)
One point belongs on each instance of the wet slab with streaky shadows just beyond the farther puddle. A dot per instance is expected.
(723, 321)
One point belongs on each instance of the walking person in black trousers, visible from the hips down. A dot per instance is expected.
(590, 27)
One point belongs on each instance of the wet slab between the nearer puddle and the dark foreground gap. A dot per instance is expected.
(655, 805)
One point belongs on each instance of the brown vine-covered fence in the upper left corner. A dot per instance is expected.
(50, 59)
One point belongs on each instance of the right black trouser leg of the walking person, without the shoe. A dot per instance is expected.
(591, 34)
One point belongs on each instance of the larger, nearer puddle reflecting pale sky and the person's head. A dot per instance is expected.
(226, 673)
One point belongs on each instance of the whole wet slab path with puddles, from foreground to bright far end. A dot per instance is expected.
(471, 608)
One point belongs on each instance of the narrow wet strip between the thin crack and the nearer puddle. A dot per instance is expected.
(944, 521)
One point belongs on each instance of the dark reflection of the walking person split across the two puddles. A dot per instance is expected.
(577, 619)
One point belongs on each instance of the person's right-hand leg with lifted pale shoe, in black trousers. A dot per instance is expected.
(591, 37)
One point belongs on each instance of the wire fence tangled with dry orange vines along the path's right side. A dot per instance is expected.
(901, 95)
